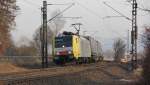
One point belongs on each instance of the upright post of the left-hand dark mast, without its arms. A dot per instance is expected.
(44, 37)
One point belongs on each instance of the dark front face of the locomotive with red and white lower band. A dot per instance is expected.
(63, 51)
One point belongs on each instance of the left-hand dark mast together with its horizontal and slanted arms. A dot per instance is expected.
(43, 32)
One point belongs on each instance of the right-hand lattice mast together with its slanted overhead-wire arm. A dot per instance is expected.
(134, 31)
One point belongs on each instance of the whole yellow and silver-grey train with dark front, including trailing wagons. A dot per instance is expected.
(69, 47)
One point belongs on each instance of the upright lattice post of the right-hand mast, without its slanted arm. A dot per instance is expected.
(134, 36)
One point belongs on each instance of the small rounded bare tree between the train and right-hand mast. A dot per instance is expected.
(119, 49)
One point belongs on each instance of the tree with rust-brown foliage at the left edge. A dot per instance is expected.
(7, 15)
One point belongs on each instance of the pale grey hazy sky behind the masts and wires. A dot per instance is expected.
(93, 13)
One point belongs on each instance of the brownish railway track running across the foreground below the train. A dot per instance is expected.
(41, 75)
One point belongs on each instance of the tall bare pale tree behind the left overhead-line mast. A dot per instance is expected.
(53, 28)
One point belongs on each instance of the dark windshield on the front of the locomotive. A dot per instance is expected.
(65, 41)
